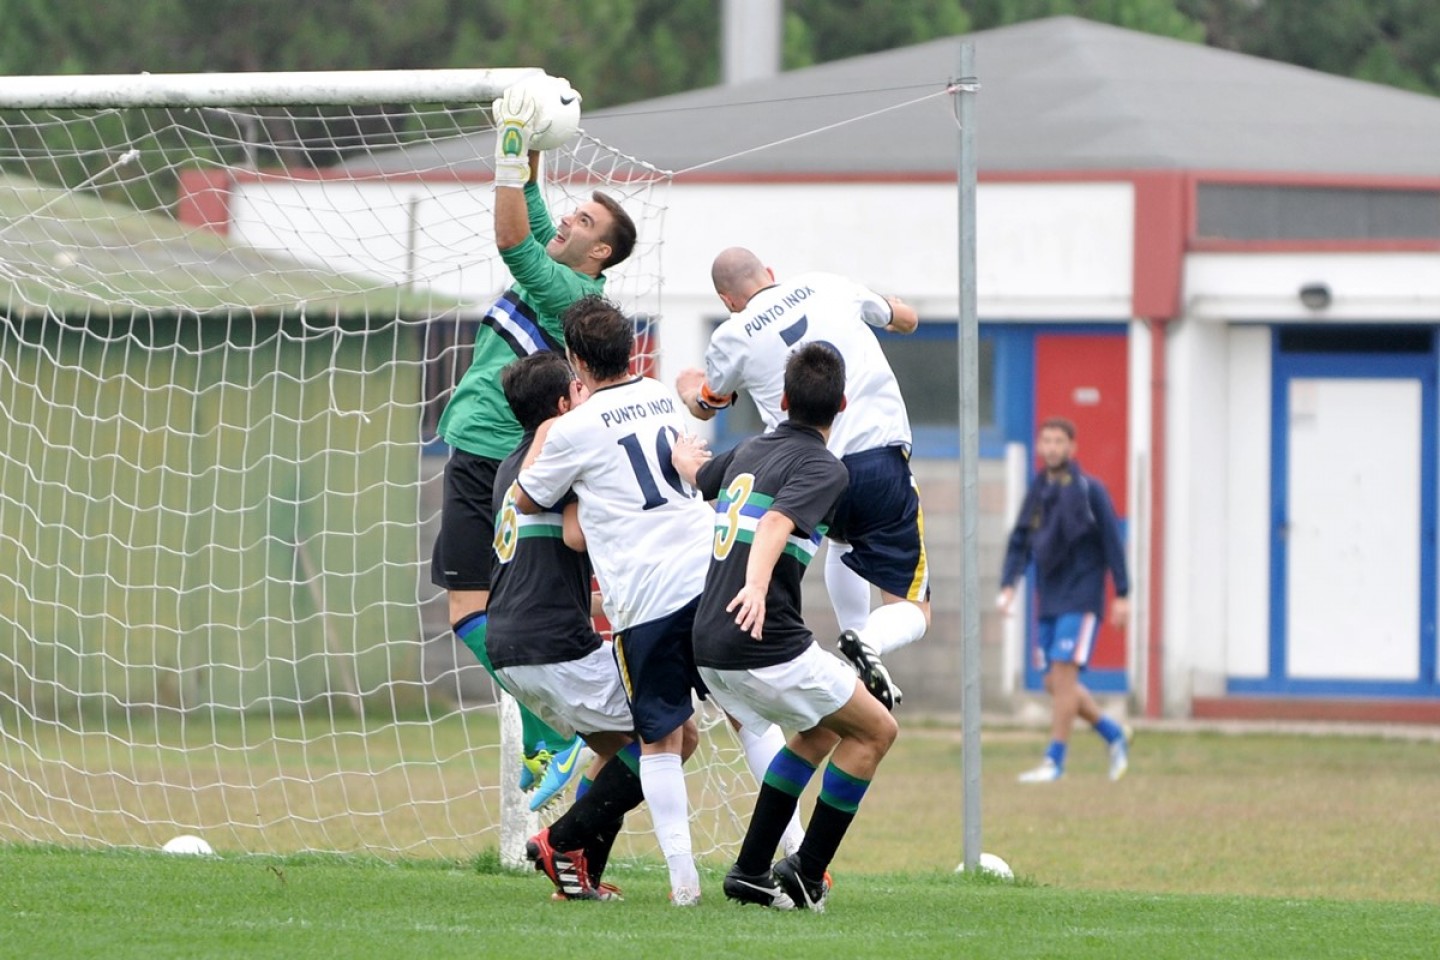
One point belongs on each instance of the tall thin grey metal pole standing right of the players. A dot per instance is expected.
(966, 90)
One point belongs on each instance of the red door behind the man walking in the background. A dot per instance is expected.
(1085, 378)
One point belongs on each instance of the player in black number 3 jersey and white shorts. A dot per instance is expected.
(774, 497)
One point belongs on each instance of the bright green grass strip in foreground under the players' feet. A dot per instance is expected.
(138, 905)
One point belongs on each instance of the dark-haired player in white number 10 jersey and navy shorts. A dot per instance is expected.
(649, 538)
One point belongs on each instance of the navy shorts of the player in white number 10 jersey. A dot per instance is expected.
(657, 663)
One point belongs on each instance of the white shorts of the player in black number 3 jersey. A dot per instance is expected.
(796, 696)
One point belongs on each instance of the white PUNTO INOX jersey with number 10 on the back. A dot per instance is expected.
(649, 532)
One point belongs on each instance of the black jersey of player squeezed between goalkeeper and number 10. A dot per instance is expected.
(539, 589)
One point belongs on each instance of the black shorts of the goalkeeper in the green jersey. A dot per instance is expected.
(466, 551)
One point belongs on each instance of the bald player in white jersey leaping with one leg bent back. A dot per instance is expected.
(879, 532)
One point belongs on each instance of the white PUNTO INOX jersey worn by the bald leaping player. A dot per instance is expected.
(748, 353)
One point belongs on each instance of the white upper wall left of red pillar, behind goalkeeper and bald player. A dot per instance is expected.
(1045, 251)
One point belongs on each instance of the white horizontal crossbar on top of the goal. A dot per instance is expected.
(320, 89)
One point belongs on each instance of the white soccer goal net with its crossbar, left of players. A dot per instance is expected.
(234, 307)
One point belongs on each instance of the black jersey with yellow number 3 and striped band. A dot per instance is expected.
(788, 471)
